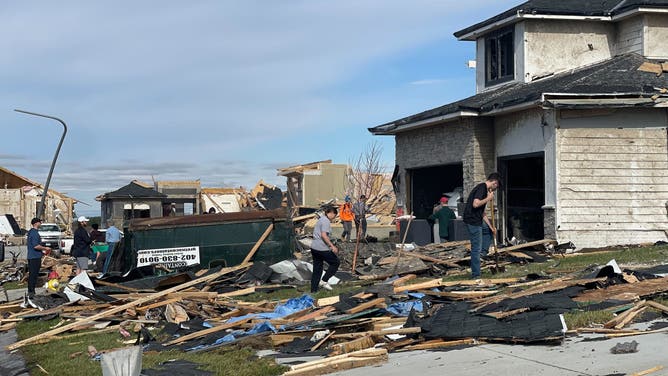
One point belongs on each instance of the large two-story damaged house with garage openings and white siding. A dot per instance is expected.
(571, 107)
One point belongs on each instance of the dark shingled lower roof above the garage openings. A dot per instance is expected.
(618, 76)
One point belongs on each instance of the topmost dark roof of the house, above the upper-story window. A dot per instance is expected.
(582, 8)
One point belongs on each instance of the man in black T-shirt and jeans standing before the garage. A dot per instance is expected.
(475, 218)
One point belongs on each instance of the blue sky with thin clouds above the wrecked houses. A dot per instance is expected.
(221, 91)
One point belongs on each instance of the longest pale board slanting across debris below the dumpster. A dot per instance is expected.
(123, 307)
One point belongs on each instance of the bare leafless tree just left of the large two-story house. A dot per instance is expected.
(365, 176)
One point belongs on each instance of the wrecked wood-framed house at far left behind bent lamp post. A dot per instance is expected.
(21, 197)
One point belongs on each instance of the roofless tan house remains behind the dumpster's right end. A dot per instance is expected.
(310, 185)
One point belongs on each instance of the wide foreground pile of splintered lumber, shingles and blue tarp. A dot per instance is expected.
(382, 312)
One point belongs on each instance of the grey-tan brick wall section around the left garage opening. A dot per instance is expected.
(469, 141)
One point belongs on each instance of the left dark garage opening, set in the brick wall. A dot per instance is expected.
(428, 184)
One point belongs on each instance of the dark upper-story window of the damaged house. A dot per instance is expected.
(499, 56)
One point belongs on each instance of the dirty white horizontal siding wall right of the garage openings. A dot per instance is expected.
(612, 186)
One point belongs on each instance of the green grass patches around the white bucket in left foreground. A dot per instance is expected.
(70, 356)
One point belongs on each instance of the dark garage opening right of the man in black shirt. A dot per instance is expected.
(523, 195)
